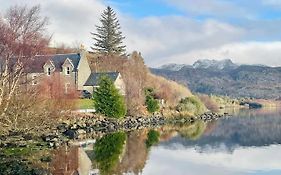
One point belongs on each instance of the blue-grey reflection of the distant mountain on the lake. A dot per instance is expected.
(251, 128)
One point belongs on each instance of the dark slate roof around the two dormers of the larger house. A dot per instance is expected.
(37, 64)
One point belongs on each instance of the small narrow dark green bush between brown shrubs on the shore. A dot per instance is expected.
(152, 105)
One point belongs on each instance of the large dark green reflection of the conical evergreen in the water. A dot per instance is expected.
(108, 150)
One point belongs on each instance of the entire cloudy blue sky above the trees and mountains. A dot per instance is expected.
(174, 31)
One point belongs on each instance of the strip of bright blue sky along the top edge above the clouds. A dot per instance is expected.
(144, 8)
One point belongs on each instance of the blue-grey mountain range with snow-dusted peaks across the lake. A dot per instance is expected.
(226, 78)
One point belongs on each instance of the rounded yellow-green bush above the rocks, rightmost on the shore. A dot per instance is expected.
(191, 104)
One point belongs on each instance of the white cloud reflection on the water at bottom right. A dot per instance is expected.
(187, 160)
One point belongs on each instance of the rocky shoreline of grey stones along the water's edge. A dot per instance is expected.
(88, 127)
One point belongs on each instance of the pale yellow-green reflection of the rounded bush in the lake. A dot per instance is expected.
(192, 131)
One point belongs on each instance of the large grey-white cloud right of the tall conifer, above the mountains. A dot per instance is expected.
(160, 37)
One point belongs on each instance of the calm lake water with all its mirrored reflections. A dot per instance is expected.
(247, 144)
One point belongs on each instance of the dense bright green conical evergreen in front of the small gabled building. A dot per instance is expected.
(107, 99)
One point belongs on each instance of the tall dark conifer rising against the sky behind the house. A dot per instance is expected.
(109, 39)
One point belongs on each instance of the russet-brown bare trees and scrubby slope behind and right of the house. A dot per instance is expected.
(137, 78)
